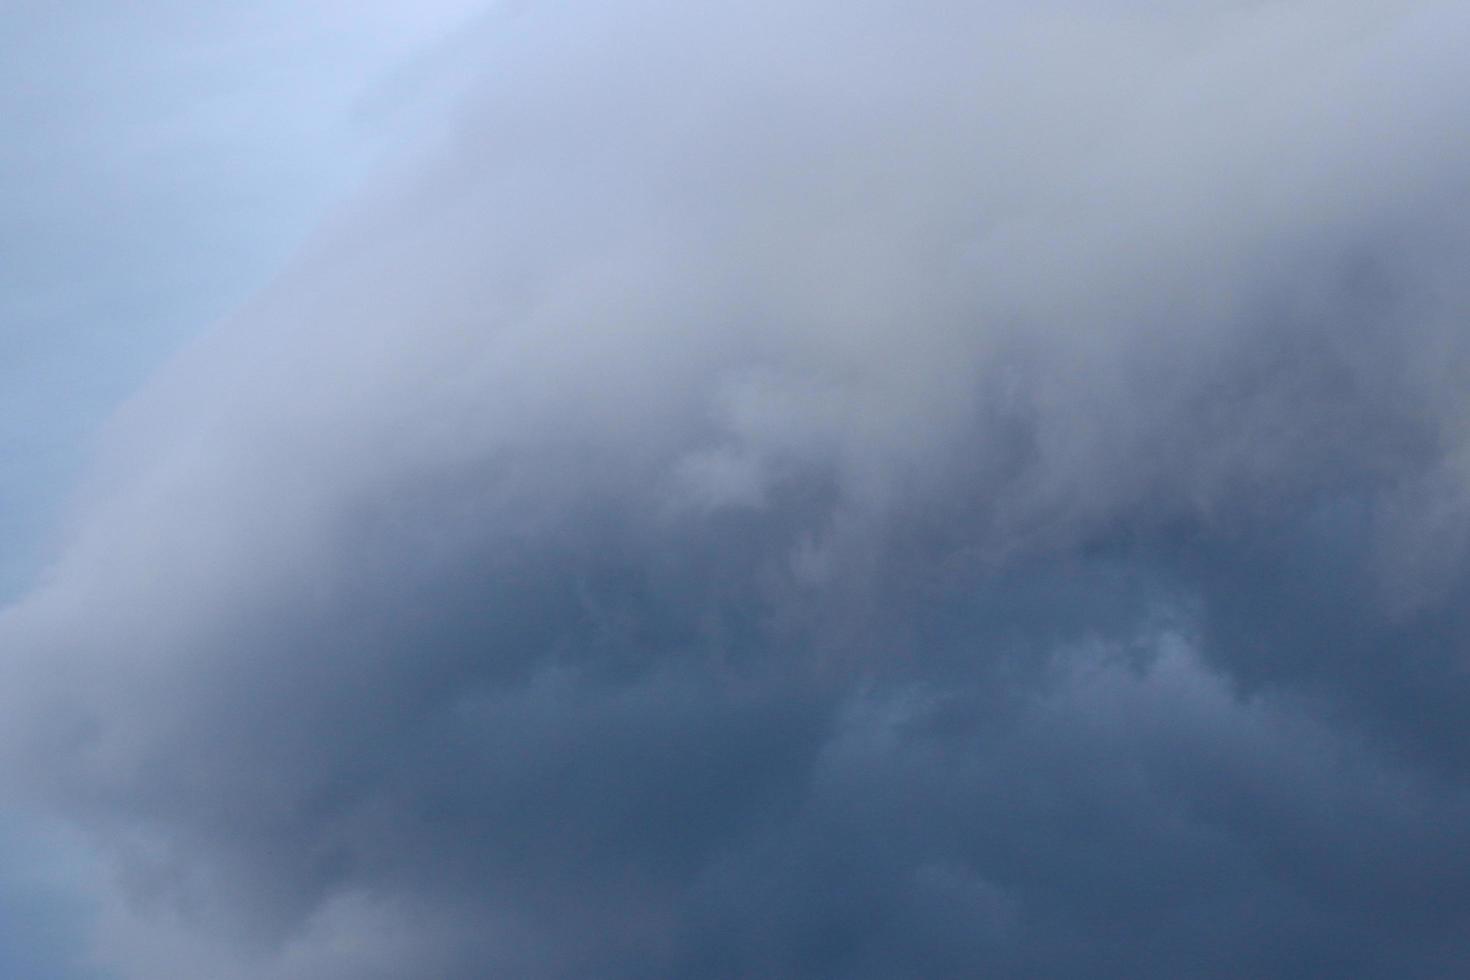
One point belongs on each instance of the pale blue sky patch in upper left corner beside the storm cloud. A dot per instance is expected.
(161, 161)
